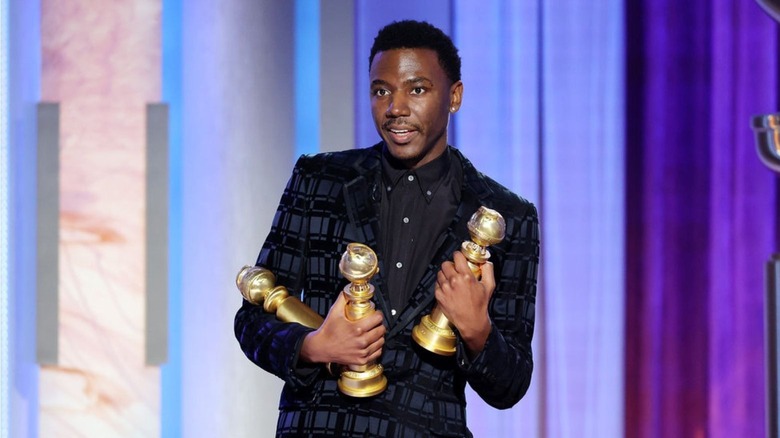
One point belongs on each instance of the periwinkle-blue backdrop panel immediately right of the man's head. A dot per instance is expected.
(498, 129)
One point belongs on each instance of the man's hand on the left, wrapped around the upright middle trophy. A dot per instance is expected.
(339, 340)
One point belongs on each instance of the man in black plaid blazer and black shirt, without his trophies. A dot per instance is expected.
(409, 198)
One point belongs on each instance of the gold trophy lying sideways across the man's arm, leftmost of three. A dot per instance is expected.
(258, 286)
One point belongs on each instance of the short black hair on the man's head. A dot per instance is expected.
(410, 34)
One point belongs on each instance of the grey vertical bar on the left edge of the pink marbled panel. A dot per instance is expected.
(48, 233)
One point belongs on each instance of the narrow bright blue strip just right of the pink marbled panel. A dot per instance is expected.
(172, 94)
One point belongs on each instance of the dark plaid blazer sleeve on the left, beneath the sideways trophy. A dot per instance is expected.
(269, 343)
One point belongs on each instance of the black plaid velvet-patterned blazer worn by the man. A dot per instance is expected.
(332, 199)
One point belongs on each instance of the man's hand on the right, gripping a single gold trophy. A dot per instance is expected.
(464, 300)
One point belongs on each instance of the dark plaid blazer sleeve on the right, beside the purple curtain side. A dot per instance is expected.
(501, 373)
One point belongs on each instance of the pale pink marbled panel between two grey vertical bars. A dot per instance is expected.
(102, 62)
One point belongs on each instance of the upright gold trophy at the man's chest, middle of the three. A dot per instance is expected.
(358, 264)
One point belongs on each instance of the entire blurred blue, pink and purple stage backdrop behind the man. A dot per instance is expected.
(144, 145)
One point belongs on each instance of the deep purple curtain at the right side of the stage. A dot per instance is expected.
(701, 211)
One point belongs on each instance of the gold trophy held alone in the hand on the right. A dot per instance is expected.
(434, 332)
